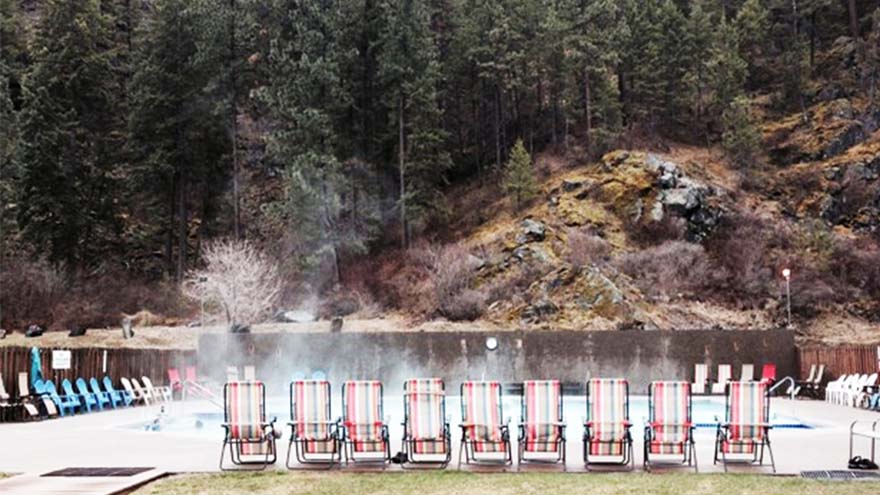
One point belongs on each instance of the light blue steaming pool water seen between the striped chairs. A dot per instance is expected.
(707, 412)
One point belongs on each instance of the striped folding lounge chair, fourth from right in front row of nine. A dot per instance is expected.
(542, 427)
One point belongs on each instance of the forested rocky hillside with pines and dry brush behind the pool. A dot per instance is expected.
(578, 164)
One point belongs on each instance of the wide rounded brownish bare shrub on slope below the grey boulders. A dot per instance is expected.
(672, 269)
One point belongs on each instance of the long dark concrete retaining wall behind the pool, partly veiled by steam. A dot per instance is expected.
(455, 356)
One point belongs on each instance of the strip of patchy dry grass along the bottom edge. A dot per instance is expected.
(457, 483)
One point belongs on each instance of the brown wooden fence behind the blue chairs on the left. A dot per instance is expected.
(90, 362)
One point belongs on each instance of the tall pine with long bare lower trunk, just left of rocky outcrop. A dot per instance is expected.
(410, 74)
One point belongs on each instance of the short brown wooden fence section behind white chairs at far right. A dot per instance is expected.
(838, 360)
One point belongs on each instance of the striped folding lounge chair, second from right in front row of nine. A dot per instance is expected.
(670, 429)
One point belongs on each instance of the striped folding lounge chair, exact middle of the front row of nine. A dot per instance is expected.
(485, 437)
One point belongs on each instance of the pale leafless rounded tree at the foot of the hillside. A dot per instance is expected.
(238, 279)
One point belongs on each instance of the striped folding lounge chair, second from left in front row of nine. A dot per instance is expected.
(314, 436)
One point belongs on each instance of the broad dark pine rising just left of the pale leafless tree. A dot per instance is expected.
(177, 141)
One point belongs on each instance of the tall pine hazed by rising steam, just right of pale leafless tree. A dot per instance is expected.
(305, 97)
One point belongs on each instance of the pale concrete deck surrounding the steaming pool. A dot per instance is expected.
(97, 440)
